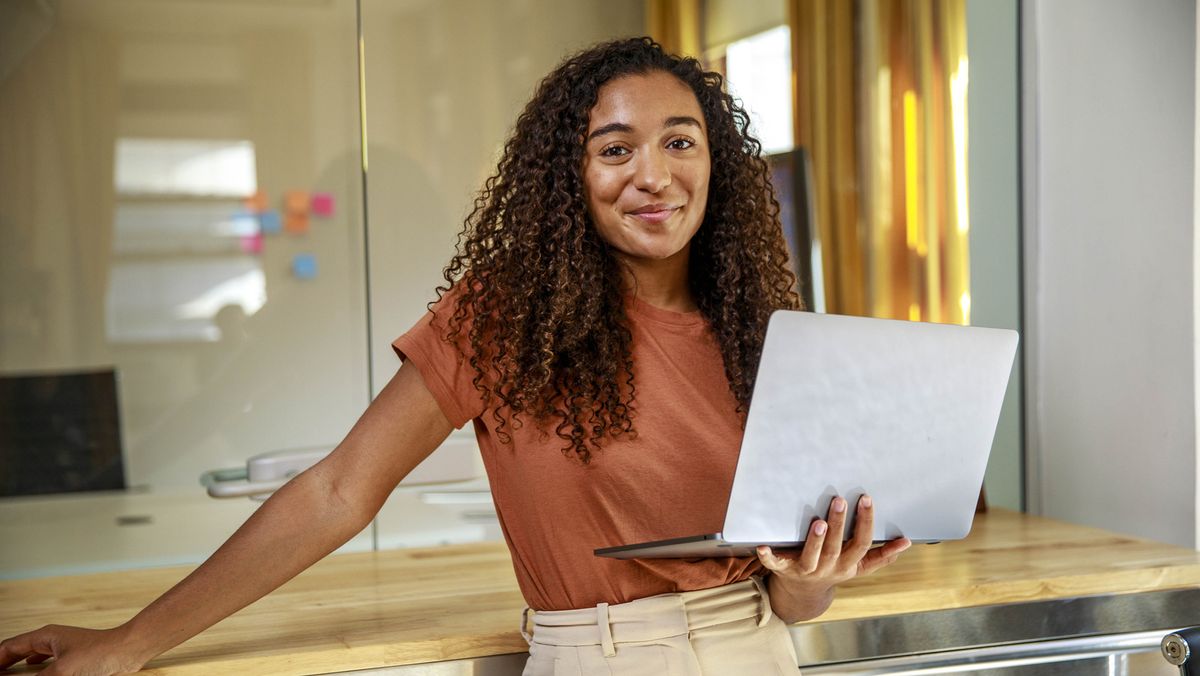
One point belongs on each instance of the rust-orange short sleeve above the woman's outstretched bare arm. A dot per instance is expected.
(446, 370)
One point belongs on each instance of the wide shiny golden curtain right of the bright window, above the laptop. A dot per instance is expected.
(880, 91)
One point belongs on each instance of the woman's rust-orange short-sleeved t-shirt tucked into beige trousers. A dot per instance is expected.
(670, 481)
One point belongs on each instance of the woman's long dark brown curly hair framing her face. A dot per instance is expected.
(538, 292)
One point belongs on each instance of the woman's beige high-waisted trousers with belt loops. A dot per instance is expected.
(724, 631)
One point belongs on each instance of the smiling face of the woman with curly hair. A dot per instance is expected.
(646, 166)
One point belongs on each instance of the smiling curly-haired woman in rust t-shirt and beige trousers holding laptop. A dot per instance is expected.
(601, 327)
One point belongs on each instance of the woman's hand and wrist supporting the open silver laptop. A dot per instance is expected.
(802, 584)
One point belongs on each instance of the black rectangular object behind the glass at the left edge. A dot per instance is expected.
(61, 434)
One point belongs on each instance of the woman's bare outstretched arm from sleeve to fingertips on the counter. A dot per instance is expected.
(310, 517)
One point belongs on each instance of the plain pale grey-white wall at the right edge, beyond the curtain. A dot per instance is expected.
(1109, 121)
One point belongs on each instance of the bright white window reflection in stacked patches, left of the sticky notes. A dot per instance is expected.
(181, 243)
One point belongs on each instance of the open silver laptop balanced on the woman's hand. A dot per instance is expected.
(904, 411)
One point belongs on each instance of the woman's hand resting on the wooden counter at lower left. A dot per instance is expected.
(76, 651)
